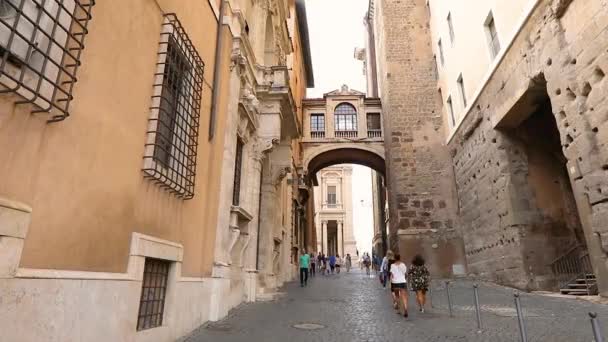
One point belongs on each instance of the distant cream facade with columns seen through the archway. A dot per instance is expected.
(334, 211)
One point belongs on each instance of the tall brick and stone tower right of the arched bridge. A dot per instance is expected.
(419, 171)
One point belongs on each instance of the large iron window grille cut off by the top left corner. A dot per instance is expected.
(41, 42)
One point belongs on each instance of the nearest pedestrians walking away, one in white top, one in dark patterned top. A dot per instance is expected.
(417, 276)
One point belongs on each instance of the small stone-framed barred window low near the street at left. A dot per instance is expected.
(153, 294)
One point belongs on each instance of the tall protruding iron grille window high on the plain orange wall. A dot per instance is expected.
(173, 129)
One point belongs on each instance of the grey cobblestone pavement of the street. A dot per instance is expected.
(354, 307)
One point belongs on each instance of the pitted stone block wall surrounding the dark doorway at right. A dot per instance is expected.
(565, 44)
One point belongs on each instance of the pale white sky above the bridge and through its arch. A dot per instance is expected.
(336, 29)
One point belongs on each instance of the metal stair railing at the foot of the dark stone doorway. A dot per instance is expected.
(573, 265)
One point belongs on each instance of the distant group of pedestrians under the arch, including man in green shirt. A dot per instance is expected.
(309, 264)
